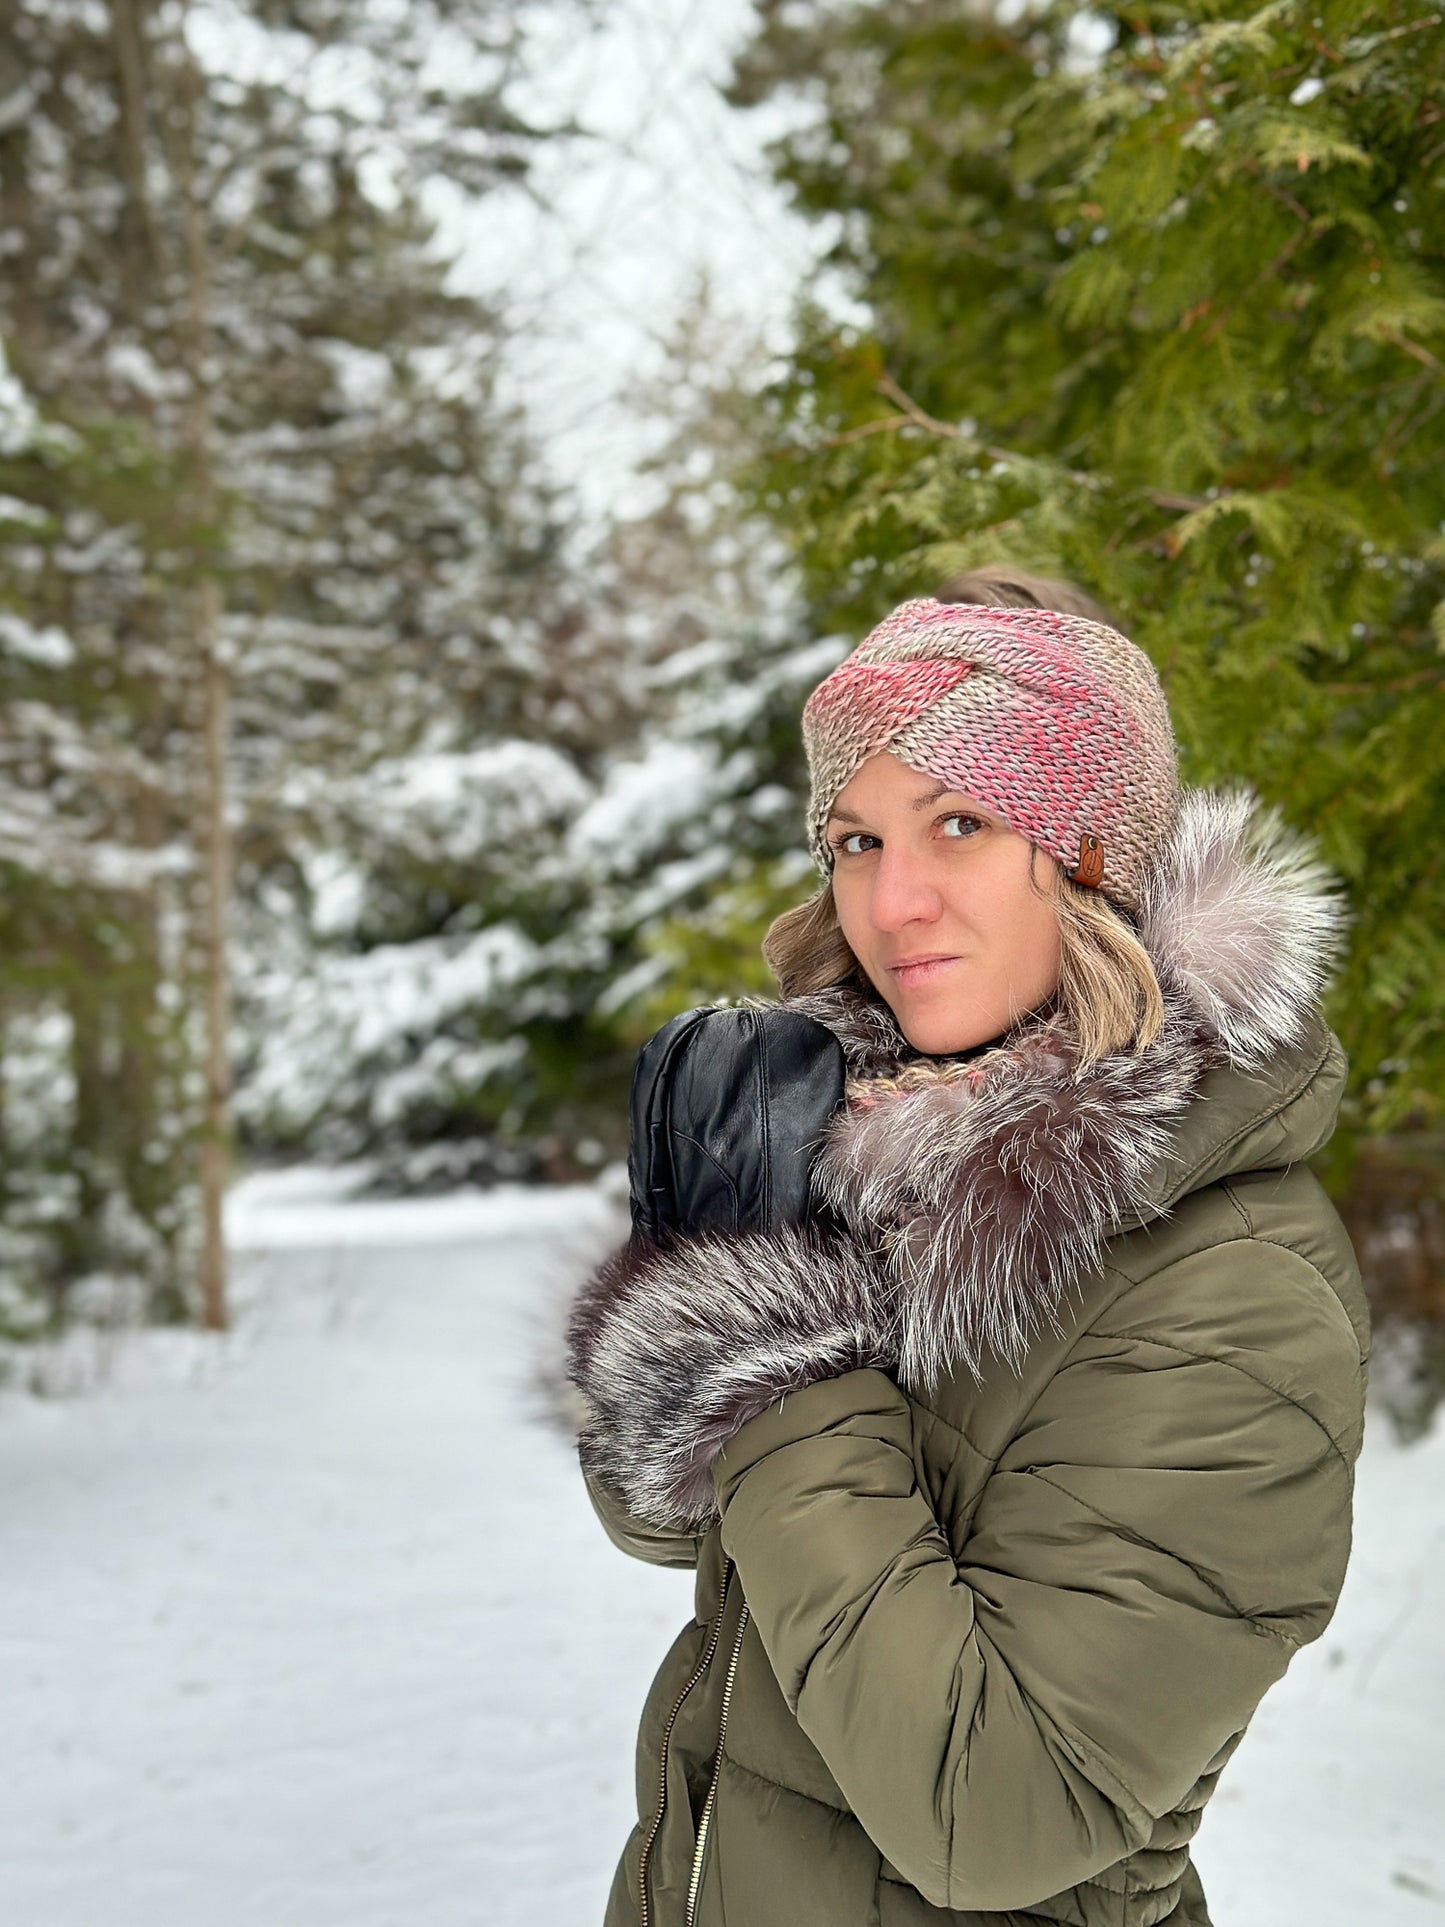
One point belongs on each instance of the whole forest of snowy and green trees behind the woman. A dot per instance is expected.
(371, 785)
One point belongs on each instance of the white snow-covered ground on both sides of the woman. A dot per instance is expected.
(313, 1627)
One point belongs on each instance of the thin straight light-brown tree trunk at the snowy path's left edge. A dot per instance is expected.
(217, 720)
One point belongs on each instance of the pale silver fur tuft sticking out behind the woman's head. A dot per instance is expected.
(1242, 916)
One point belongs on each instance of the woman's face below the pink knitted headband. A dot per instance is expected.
(935, 899)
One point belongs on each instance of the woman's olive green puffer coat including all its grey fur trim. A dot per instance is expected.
(1009, 1506)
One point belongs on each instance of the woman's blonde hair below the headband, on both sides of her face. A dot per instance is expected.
(1109, 997)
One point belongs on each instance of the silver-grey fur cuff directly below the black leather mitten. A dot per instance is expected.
(675, 1348)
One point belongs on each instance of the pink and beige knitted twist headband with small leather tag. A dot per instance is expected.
(1055, 724)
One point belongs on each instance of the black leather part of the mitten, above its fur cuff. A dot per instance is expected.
(727, 1115)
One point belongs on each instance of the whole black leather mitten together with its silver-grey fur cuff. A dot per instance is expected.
(735, 1288)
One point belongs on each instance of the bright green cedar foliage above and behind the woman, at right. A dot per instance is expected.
(1157, 300)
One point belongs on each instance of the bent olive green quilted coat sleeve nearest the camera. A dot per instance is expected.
(1009, 1716)
